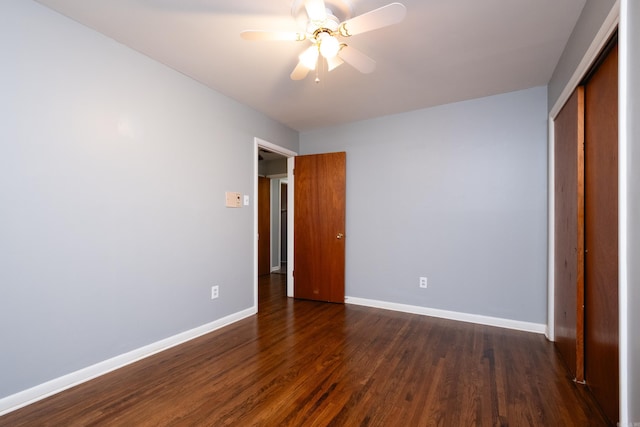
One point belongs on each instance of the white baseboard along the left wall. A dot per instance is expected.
(39, 392)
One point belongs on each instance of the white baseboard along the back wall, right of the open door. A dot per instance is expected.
(538, 328)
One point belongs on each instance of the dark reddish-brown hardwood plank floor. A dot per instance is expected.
(304, 363)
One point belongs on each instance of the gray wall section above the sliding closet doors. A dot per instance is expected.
(591, 19)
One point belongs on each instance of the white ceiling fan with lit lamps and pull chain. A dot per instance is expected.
(326, 24)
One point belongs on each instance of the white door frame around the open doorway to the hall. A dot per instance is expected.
(257, 144)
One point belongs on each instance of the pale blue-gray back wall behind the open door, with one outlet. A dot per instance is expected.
(456, 193)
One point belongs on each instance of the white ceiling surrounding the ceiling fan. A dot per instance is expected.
(444, 51)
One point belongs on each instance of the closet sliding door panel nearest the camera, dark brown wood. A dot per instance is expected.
(601, 234)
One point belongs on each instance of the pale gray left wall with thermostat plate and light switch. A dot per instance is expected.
(113, 170)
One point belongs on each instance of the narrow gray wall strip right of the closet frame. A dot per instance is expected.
(633, 211)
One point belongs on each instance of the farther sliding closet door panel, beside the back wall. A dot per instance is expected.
(569, 233)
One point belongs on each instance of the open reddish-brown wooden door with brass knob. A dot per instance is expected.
(319, 224)
